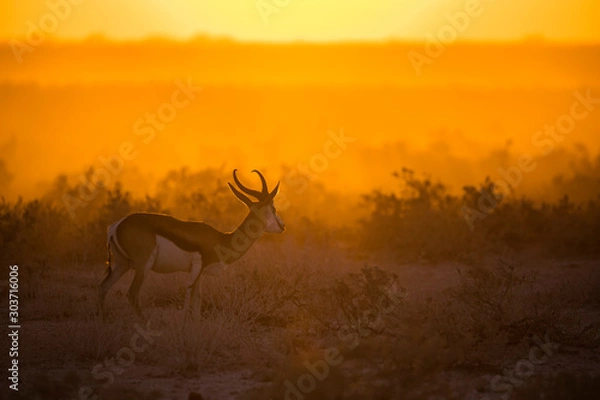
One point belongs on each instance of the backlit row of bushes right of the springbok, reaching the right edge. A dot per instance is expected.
(423, 222)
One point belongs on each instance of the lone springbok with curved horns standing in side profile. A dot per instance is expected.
(163, 244)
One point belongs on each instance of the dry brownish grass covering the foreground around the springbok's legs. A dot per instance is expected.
(269, 315)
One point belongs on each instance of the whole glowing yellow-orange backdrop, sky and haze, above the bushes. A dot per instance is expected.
(471, 110)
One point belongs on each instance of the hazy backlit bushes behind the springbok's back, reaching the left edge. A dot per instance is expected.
(45, 232)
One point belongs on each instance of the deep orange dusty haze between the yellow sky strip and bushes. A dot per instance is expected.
(473, 110)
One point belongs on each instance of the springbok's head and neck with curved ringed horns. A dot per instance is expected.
(264, 204)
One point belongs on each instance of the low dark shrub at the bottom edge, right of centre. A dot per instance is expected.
(424, 339)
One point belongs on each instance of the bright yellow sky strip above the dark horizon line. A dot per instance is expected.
(314, 20)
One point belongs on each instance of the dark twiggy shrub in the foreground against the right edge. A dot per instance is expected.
(504, 299)
